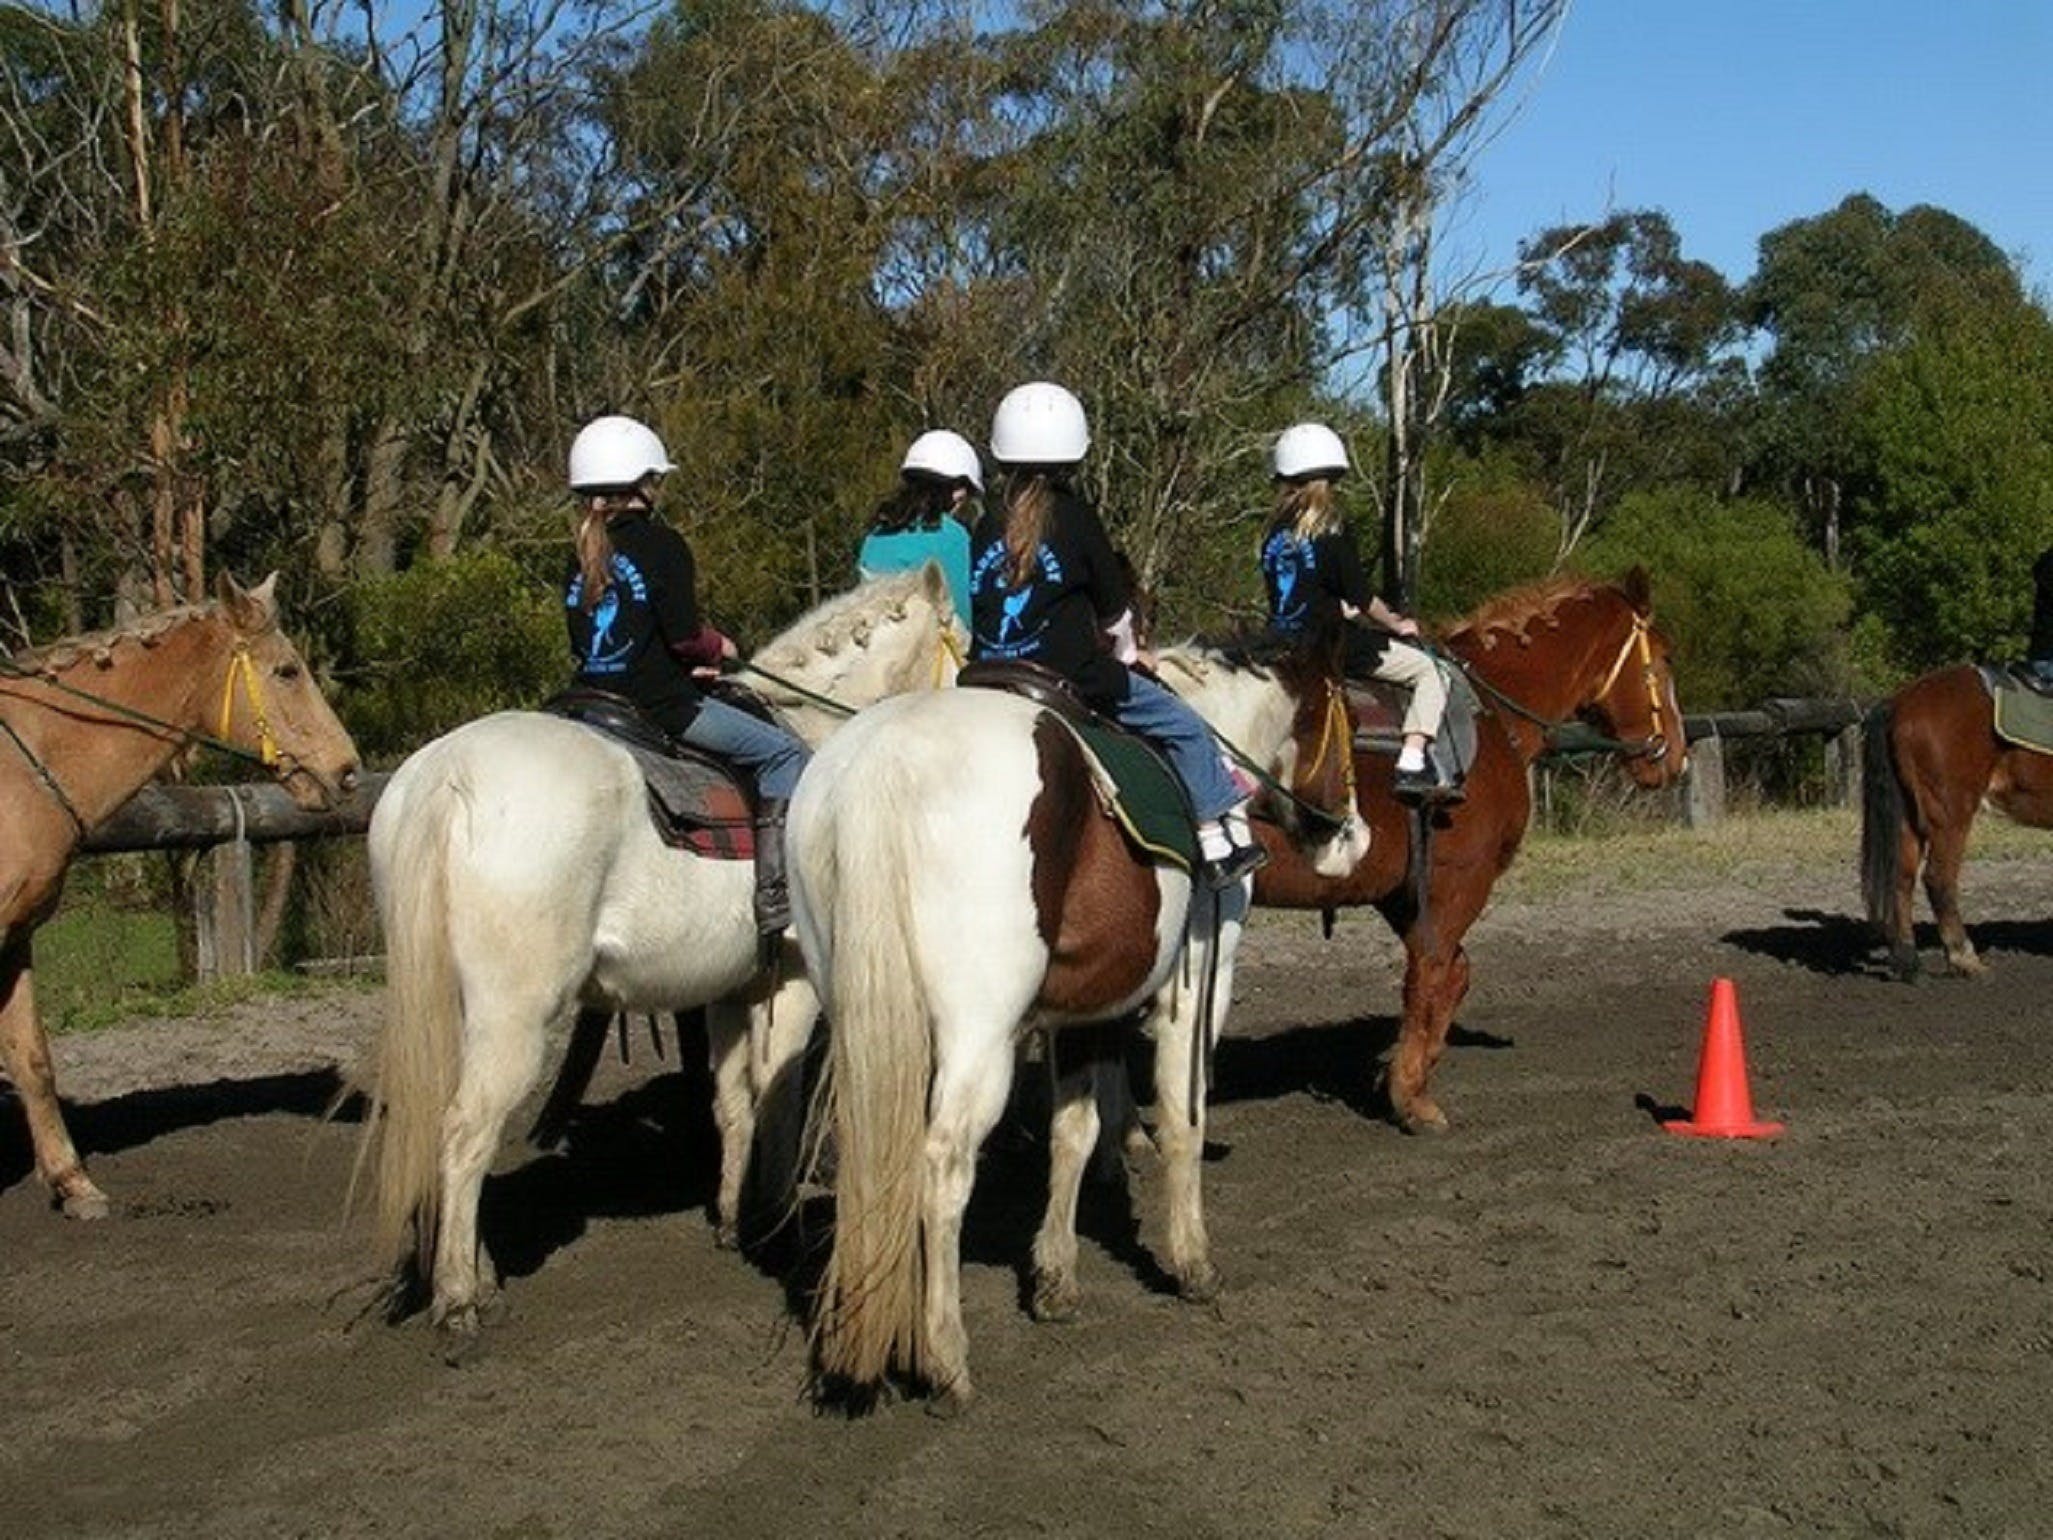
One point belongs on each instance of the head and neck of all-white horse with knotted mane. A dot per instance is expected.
(880, 640)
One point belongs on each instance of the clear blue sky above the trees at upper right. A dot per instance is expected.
(1738, 116)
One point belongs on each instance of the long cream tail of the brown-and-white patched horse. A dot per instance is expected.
(859, 859)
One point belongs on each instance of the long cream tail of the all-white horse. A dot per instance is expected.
(416, 1061)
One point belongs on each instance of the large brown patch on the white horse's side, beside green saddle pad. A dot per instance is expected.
(1095, 900)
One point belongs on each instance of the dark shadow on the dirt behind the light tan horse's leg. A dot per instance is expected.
(139, 1118)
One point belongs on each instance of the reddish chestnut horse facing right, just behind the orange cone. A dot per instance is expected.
(1541, 656)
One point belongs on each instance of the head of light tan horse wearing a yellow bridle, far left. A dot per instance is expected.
(272, 703)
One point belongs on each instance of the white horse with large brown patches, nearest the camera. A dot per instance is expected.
(958, 886)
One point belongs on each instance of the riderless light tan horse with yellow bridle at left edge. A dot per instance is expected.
(83, 726)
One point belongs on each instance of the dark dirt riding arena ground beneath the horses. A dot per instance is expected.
(1557, 1321)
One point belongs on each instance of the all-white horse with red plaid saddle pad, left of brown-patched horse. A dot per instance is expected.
(520, 882)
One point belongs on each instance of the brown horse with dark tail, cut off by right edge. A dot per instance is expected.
(1931, 759)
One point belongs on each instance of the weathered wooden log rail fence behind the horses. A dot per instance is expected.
(229, 822)
